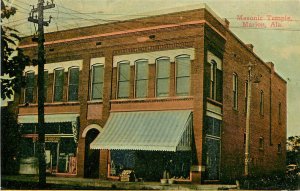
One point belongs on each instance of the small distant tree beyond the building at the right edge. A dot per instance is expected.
(293, 150)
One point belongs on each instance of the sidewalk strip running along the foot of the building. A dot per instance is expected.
(75, 182)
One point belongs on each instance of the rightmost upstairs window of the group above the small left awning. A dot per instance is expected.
(73, 84)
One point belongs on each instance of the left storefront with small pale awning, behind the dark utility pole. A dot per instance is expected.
(61, 139)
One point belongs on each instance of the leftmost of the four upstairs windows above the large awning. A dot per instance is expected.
(123, 79)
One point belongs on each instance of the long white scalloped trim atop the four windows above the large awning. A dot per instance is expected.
(152, 56)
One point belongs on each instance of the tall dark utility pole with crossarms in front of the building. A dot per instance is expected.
(41, 61)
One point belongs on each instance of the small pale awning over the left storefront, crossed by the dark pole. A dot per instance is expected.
(49, 118)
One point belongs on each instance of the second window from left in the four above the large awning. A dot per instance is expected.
(141, 78)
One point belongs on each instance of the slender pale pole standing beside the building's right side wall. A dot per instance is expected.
(247, 141)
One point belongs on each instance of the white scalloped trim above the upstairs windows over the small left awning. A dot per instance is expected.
(51, 66)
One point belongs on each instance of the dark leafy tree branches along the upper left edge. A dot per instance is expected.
(13, 60)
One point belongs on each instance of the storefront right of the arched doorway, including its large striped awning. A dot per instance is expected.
(154, 144)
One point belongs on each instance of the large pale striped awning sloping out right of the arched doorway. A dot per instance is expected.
(147, 130)
